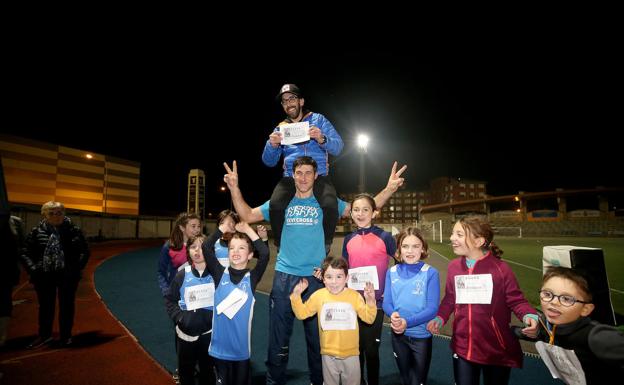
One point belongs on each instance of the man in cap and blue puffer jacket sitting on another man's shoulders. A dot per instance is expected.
(324, 141)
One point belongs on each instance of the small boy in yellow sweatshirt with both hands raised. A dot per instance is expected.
(338, 308)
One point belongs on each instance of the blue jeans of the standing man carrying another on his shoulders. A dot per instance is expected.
(281, 318)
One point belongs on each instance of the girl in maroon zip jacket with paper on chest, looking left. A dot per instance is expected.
(482, 291)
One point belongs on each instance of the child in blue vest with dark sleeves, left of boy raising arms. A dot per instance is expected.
(190, 304)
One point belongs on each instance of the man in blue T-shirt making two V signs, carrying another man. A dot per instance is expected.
(300, 256)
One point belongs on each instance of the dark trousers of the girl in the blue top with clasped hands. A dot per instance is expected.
(413, 357)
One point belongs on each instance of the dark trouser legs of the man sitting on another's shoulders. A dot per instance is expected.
(325, 194)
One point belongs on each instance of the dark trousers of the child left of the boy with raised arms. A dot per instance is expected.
(191, 354)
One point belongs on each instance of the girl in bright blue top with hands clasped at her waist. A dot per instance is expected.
(411, 299)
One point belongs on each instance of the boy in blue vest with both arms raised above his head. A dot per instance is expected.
(233, 302)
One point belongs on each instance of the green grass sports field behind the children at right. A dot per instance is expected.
(524, 255)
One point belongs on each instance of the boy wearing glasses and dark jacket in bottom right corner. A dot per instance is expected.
(571, 338)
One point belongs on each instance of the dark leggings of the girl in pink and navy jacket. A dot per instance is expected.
(370, 339)
